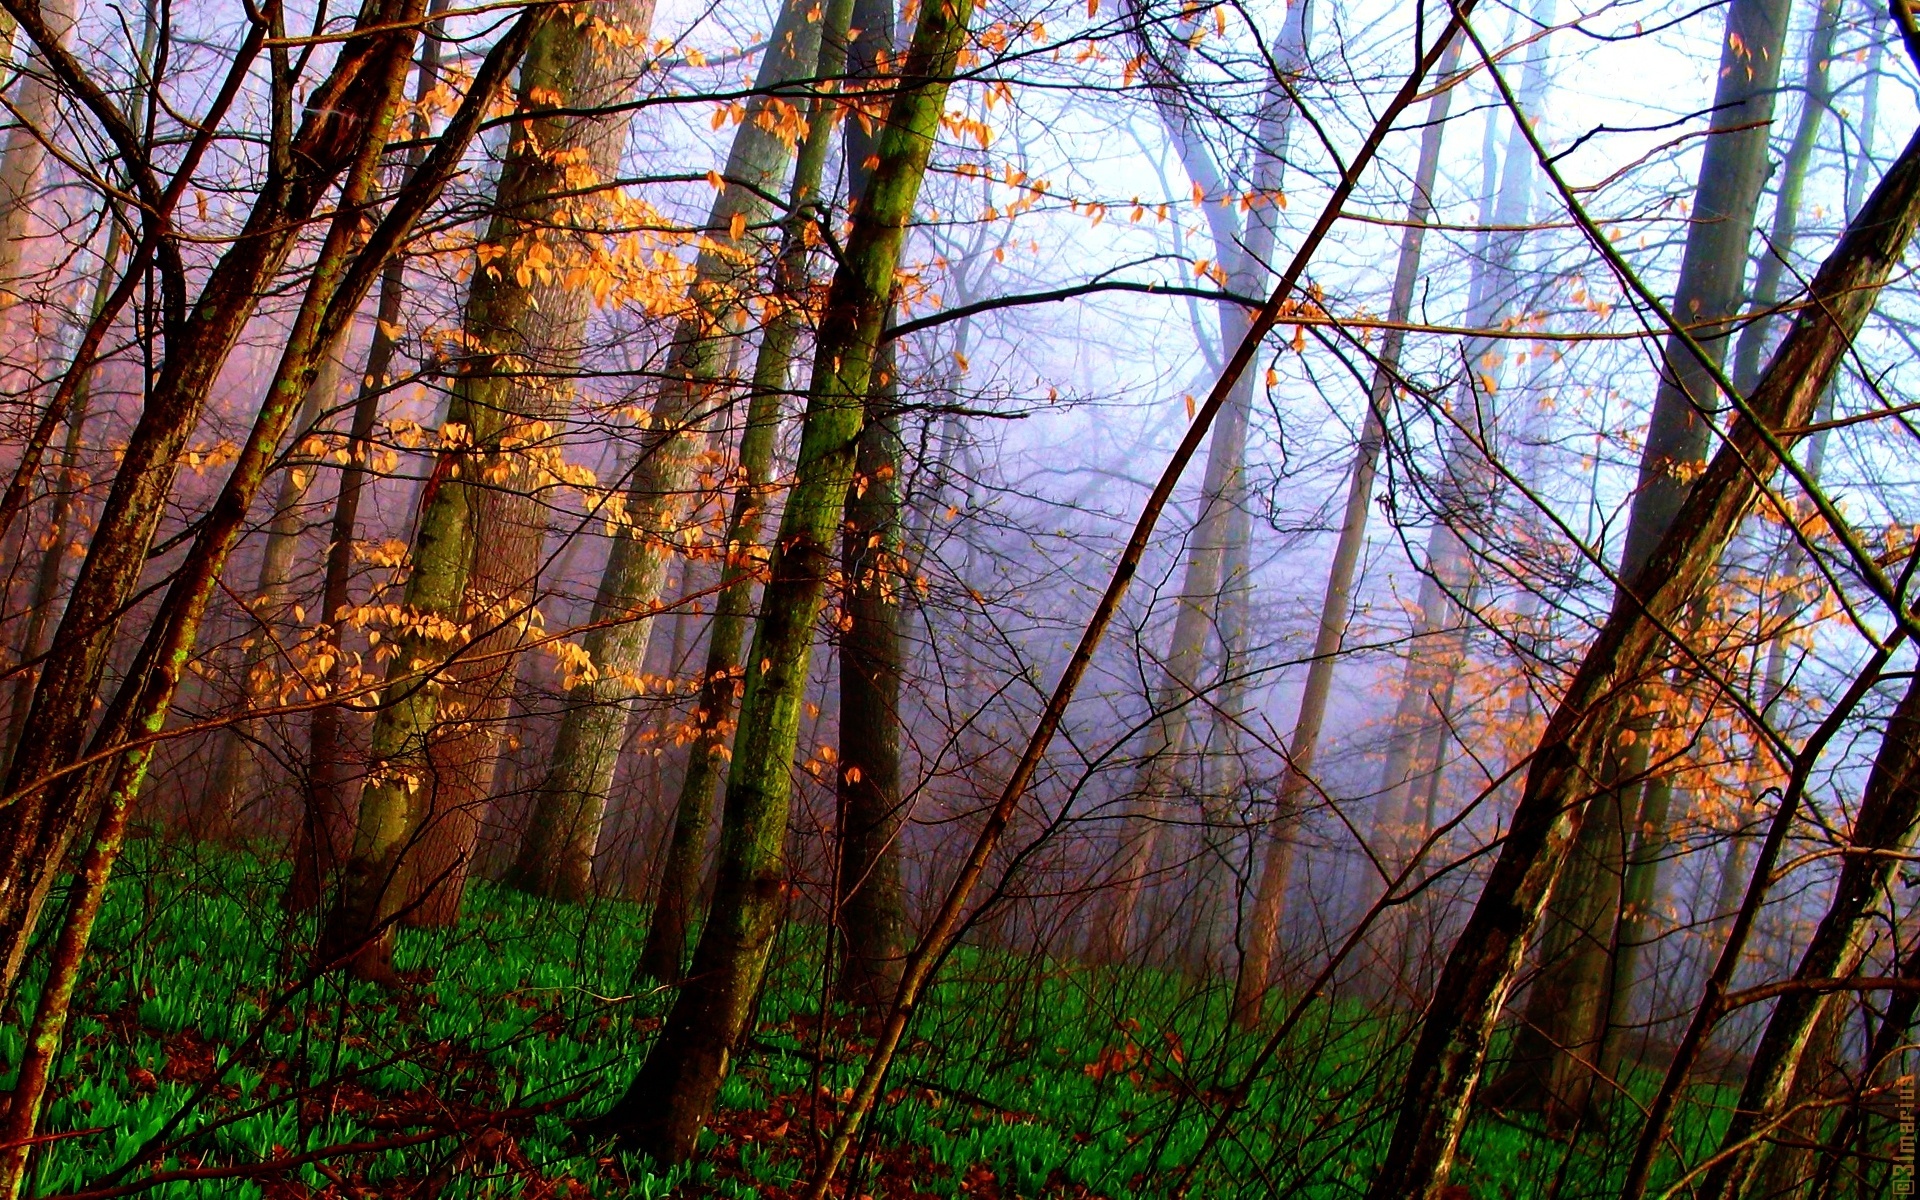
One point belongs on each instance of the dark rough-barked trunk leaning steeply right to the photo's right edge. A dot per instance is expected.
(1485, 961)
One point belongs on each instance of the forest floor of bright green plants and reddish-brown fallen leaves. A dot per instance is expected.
(206, 1063)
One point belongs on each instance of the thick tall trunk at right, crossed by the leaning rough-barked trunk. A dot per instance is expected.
(1554, 1061)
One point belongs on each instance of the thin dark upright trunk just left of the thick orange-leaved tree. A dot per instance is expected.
(325, 830)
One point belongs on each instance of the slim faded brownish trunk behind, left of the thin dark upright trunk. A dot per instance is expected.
(233, 779)
